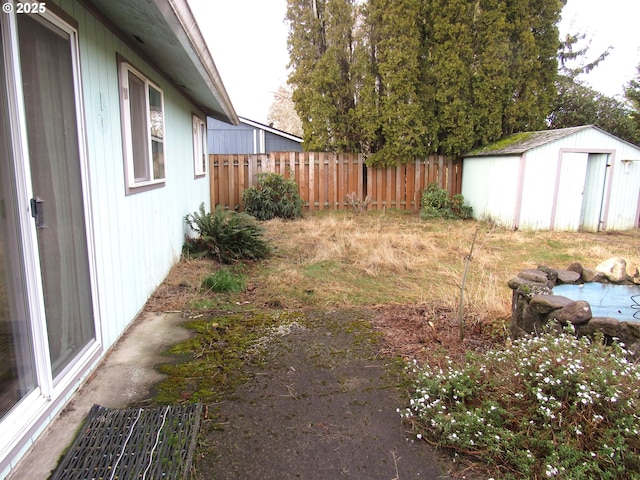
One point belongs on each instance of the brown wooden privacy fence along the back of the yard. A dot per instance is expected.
(325, 179)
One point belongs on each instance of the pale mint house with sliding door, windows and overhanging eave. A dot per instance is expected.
(103, 107)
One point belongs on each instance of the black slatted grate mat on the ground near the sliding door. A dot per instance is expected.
(144, 444)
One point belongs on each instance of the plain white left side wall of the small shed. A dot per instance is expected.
(489, 186)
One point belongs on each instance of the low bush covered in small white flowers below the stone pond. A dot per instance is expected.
(548, 406)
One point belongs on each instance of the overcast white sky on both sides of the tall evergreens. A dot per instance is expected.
(248, 42)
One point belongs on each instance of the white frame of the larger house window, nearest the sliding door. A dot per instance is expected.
(150, 179)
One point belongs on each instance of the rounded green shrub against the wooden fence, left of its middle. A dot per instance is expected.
(273, 196)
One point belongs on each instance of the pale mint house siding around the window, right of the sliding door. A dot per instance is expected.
(138, 237)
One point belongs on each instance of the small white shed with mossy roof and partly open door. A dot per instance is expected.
(579, 178)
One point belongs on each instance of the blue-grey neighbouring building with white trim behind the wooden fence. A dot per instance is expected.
(249, 137)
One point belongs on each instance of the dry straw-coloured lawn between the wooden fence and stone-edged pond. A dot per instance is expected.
(342, 259)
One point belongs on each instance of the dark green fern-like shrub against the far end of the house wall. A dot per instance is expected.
(226, 235)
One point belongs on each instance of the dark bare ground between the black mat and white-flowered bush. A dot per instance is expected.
(323, 405)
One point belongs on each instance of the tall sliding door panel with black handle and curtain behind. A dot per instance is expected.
(57, 203)
